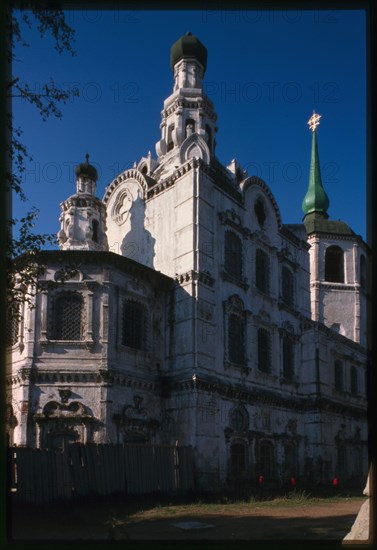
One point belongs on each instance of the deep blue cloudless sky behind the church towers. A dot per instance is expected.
(266, 72)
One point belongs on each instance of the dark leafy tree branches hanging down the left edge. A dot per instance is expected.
(21, 238)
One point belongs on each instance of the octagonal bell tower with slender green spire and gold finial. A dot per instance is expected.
(338, 259)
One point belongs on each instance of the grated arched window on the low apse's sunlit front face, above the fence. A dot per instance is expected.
(68, 317)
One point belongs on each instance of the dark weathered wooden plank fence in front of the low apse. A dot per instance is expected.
(40, 476)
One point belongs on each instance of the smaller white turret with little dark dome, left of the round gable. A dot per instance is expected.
(83, 217)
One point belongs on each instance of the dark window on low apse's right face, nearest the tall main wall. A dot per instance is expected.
(134, 325)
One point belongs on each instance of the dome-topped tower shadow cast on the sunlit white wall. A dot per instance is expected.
(138, 244)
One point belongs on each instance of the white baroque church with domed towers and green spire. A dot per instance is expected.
(180, 309)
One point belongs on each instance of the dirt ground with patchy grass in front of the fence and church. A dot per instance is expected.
(331, 520)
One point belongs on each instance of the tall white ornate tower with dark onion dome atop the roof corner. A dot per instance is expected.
(188, 125)
